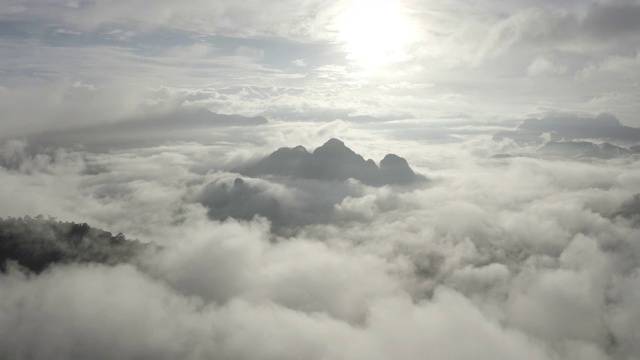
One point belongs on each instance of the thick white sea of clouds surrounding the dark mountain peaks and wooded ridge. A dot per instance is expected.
(496, 258)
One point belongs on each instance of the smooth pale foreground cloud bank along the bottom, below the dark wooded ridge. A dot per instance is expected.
(139, 307)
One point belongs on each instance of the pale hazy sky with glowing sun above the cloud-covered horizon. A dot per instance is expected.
(86, 62)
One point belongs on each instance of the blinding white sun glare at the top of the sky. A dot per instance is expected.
(376, 32)
